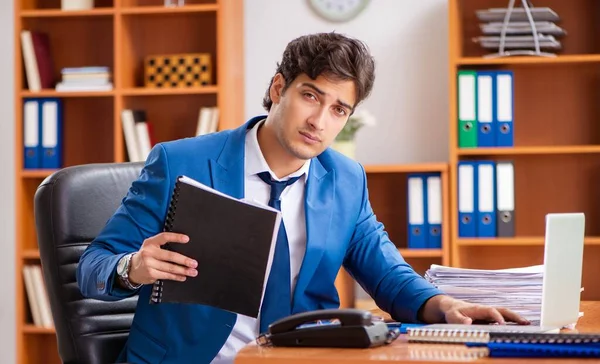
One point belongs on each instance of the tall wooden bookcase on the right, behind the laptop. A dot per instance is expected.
(556, 136)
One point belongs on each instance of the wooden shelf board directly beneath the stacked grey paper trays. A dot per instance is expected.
(561, 59)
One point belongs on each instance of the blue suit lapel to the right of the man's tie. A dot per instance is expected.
(319, 201)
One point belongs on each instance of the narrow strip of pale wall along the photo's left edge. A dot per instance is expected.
(7, 185)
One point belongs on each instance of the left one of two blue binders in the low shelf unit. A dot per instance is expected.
(417, 205)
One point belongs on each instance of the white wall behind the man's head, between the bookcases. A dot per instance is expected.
(409, 42)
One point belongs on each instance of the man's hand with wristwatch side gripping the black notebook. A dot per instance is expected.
(152, 263)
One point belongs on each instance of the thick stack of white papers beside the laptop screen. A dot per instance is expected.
(518, 289)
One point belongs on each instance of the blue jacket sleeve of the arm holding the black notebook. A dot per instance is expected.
(140, 216)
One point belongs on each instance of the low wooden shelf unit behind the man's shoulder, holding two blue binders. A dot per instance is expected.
(387, 186)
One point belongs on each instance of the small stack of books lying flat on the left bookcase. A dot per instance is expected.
(85, 79)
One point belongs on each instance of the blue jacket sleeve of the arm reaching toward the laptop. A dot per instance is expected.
(376, 264)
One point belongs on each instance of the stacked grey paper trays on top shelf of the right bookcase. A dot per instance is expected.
(519, 34)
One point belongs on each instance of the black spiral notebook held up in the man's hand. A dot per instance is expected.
(232, 240)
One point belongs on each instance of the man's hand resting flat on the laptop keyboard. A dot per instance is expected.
(447, 309)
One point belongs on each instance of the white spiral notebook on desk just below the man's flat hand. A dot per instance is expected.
(459, 333)
